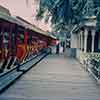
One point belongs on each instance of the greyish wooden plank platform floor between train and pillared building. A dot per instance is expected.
(55, 78)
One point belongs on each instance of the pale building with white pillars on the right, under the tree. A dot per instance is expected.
(85, 40)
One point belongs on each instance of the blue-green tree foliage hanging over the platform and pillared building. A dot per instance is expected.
(68, 12)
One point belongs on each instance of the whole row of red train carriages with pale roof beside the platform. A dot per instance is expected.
(19, 40)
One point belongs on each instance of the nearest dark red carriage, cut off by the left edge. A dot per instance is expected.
(7, 43)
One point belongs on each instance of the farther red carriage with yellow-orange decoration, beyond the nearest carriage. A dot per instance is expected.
(36, 39)
